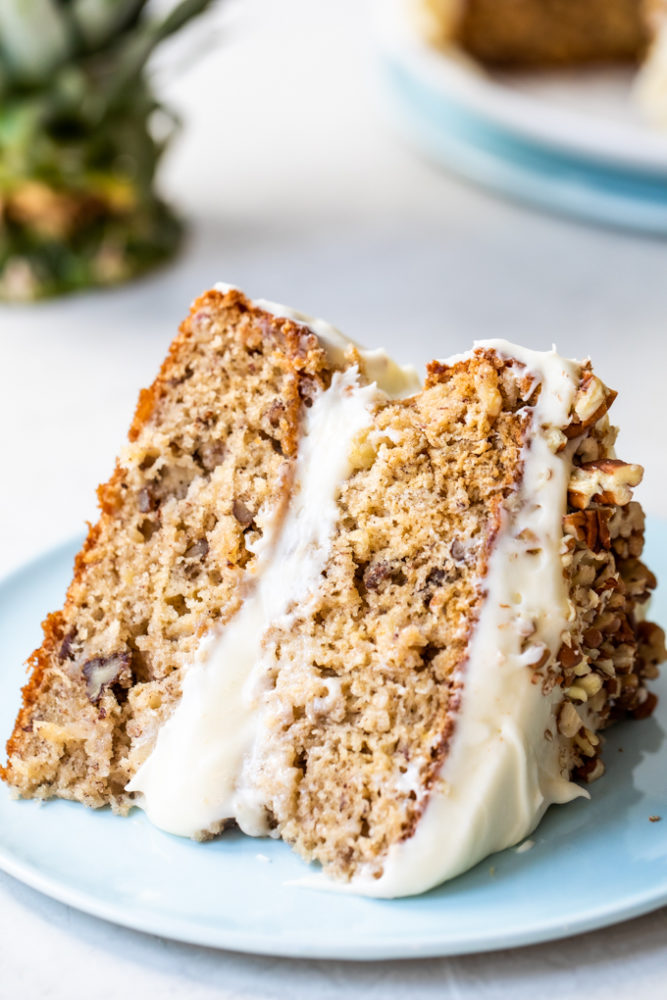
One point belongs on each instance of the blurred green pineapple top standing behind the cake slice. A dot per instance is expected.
(81, 138)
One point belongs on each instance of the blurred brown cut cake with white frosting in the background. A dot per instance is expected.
(533, 34)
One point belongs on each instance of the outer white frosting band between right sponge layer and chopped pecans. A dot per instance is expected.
(502, 772)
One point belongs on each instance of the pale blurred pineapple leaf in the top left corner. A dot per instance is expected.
(34, 38)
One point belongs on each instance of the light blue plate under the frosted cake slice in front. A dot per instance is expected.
(592, 864)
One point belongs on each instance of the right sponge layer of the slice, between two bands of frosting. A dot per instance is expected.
(366, 685)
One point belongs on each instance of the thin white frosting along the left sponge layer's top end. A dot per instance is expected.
(394, 379)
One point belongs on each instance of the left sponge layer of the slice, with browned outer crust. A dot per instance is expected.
(210, 455)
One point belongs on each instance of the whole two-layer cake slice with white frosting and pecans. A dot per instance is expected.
(385, 624)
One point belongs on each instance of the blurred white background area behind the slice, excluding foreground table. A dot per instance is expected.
(298, 187)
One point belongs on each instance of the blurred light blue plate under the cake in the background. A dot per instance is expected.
(577, 165)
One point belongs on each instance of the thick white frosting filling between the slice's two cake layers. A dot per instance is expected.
(191, 780)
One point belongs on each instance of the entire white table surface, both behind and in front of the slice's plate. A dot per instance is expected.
(298, 192)
